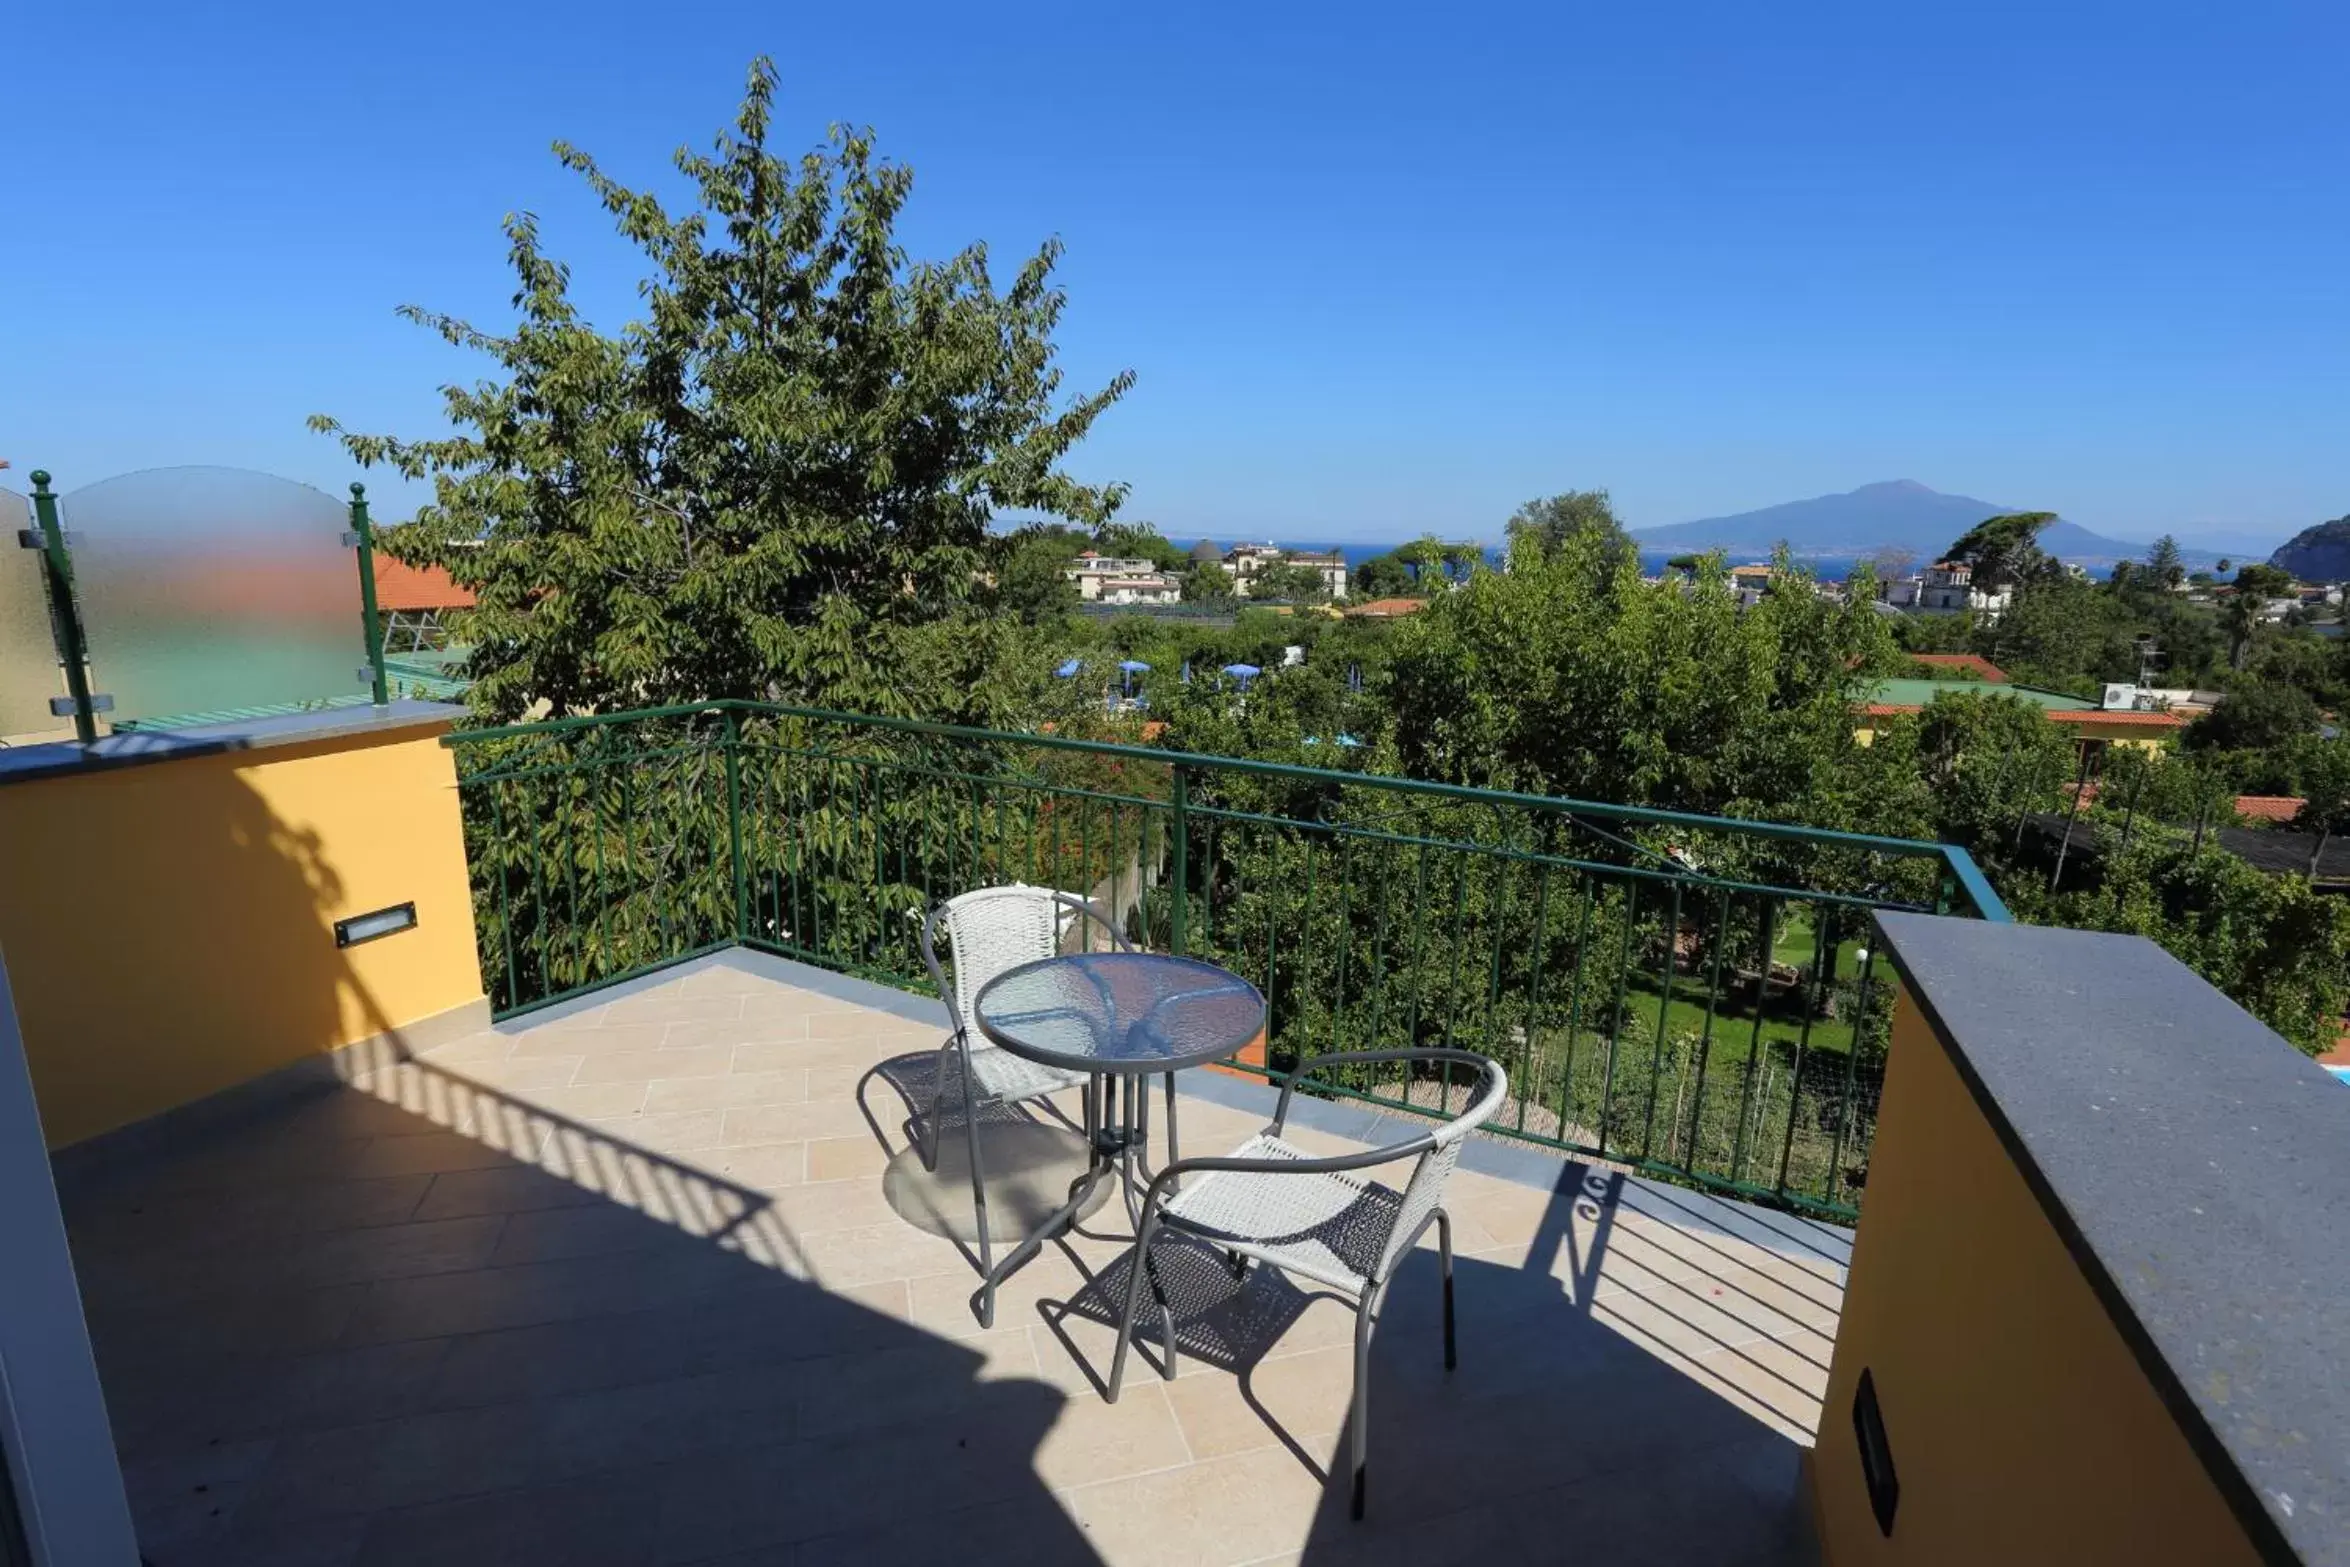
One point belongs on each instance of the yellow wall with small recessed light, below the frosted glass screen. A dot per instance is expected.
(170, 927)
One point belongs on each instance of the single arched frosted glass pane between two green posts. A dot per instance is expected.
(210, 589)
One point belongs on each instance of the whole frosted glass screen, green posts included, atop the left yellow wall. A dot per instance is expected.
(175, 593)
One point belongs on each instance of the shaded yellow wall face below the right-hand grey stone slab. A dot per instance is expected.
(2020, 1425)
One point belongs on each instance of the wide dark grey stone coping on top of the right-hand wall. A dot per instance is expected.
(2196, 1166)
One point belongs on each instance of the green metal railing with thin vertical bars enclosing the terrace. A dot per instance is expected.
(1686, 995)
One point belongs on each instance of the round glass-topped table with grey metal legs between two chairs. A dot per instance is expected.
(1120, 1018)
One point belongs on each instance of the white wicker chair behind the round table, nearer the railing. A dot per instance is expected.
(991, 932)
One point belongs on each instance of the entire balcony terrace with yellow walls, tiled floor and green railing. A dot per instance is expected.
(575, 1216)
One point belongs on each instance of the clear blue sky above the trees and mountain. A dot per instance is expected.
(1378, 269)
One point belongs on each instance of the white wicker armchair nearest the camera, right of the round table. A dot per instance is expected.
(1317, 1218)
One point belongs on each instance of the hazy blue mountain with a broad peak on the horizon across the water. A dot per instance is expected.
(1900, 513)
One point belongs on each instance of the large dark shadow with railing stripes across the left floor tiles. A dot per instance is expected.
(584, 1352)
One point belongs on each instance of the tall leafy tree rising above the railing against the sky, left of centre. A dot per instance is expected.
(779, 480)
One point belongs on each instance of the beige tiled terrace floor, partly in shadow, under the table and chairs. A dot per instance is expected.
(640, 1284)
